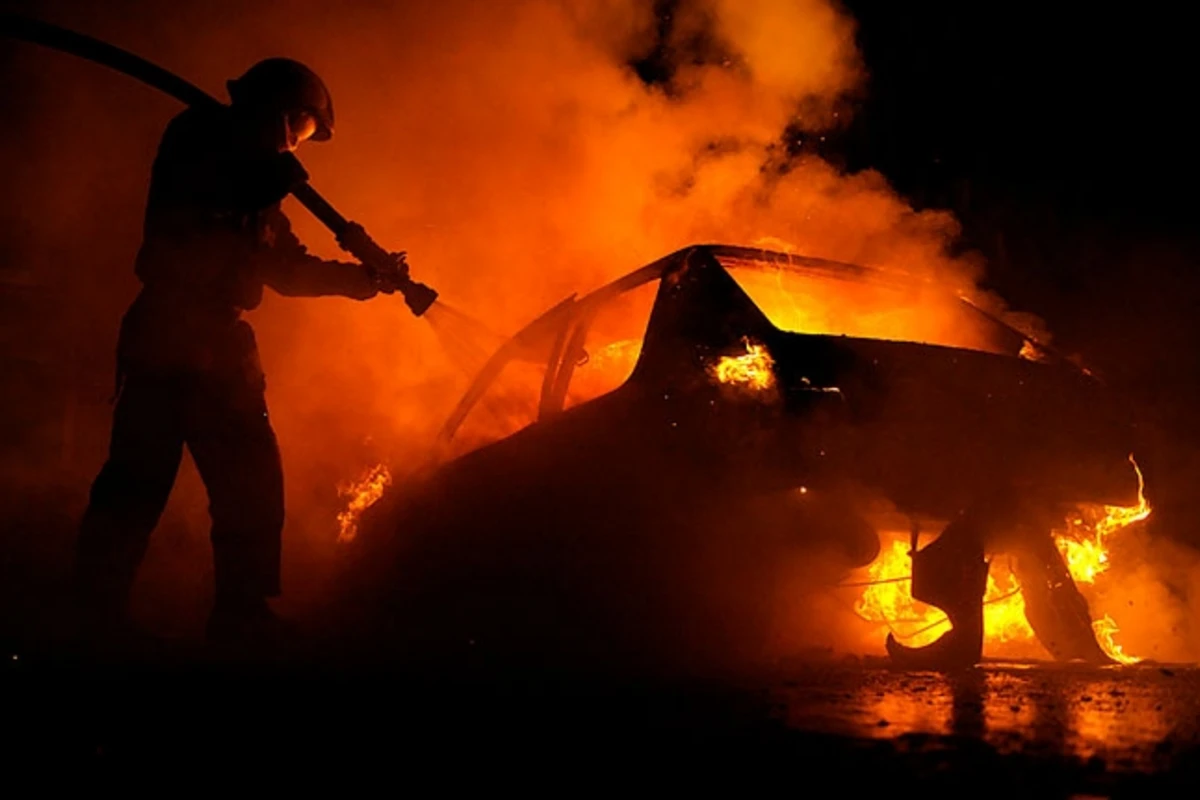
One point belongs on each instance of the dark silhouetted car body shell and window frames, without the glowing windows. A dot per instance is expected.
(645, 527)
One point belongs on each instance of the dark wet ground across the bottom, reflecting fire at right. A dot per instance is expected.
(855, 725)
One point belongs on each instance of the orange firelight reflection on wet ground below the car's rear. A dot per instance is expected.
(1126, 717)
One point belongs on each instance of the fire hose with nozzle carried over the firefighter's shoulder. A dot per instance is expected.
(383, 264)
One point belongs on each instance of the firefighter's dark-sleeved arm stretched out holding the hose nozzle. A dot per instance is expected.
(287, 267)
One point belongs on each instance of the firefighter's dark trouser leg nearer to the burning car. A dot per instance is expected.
(237, 455)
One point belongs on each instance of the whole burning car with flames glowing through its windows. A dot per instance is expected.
(644, 513)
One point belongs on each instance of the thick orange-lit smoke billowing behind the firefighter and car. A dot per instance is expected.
(519, 152)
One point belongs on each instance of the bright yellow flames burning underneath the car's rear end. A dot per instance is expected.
(887, 599)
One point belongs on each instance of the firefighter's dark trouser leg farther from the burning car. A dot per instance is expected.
(128, 497)
